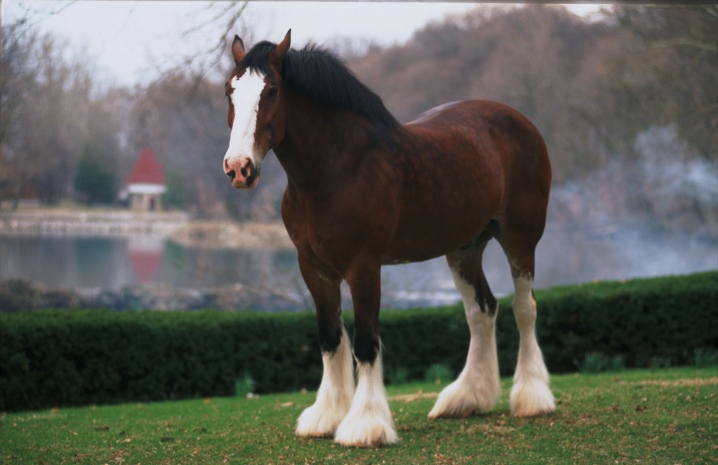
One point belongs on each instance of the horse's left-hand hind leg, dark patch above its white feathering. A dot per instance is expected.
(477, 388)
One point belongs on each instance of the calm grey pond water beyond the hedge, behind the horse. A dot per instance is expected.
(110, 263)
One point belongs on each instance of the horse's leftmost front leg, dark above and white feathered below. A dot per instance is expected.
(337, 387)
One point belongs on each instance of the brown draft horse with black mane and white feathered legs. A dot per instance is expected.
(365, 191)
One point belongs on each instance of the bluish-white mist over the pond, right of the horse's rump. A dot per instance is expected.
(652, 215)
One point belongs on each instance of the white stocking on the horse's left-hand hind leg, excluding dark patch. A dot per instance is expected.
(478, 387)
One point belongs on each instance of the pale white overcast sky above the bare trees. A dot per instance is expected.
(131, 42)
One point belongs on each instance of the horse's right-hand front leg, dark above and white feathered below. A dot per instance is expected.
(369, 422)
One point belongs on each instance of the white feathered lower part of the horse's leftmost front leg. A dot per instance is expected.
(335, 394)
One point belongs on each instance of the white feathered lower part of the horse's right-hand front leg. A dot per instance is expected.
(369, 421)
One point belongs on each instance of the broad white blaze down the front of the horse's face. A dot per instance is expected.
(245, 99)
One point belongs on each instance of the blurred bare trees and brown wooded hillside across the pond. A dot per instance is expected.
(616, 97)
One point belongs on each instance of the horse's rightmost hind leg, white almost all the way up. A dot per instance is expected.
(530, 394)
